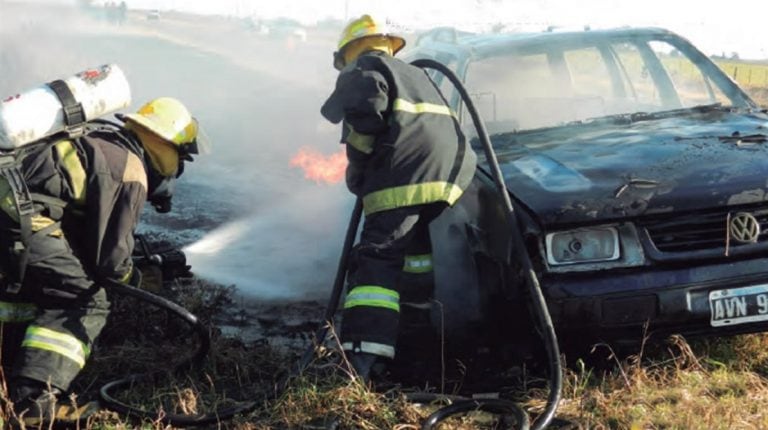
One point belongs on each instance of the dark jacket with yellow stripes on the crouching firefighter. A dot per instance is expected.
(102, 187)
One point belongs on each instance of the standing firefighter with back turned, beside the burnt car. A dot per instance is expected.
(408, 161)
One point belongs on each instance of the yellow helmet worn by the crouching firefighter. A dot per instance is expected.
(168, 119)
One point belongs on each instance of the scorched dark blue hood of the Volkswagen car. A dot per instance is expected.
(613, 169)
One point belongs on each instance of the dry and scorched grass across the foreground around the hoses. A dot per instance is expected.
(705, 384)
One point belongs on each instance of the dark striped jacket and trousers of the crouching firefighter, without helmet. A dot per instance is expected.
(86, 196)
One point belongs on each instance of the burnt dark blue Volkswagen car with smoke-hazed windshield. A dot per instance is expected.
(639, 174)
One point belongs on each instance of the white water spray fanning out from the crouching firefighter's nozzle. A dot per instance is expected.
(288, 250)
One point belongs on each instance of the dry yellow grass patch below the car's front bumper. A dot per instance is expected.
(715, 384)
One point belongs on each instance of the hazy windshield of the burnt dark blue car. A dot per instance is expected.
(545, 86)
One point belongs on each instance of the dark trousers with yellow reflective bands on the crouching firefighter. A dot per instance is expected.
(50, 324)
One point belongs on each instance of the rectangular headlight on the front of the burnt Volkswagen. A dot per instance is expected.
(583, 246)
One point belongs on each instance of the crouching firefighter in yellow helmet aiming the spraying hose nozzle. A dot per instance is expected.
(87, 193)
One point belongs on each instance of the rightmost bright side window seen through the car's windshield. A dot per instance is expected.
(693, 88)
